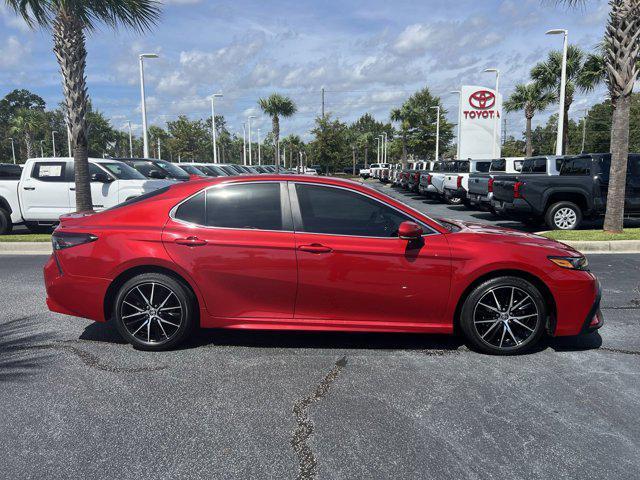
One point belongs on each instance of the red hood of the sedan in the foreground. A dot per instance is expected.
(493, 234)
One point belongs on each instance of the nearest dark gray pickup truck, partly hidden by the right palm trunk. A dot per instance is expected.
(578, 191)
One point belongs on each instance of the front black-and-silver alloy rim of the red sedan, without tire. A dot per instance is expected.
(506, 317)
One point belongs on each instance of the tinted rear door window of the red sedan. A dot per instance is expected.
(251, 205)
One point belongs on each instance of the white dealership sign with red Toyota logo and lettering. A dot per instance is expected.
(480, 120)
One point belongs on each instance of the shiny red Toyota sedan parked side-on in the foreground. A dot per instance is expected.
(311, 253)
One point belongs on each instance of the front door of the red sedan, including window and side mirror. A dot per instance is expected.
(352, 267)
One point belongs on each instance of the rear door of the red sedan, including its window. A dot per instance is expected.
(237, 243)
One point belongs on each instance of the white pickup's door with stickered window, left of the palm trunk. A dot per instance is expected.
(44, 194)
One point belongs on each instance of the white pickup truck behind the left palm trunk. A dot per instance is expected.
(46, 190)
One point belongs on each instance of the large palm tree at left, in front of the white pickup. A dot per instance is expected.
(69, 20)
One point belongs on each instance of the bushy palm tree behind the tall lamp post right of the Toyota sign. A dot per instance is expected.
(547, 75)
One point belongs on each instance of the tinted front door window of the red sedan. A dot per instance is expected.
(341, 212)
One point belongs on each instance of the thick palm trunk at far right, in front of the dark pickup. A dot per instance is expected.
(621, 50)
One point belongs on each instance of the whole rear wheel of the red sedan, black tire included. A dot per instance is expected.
(160, 326)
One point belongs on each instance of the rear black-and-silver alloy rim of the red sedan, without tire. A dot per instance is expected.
(151, 312)
